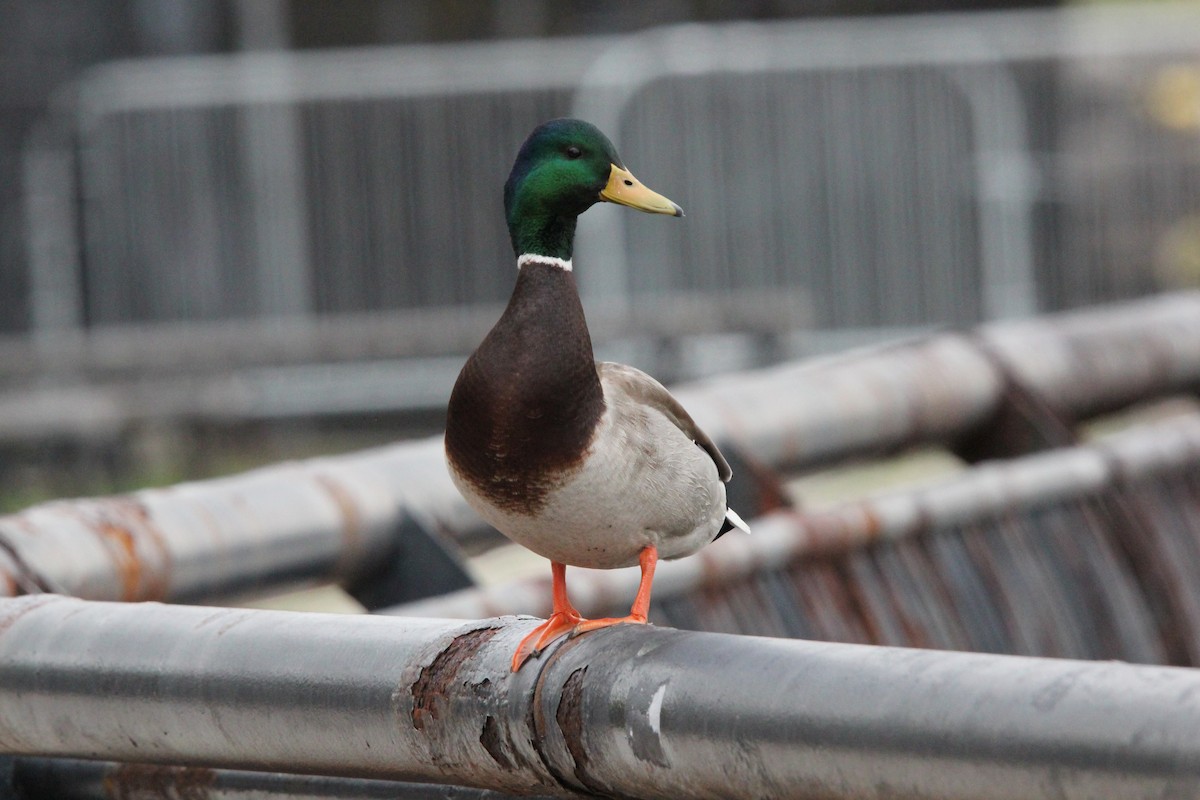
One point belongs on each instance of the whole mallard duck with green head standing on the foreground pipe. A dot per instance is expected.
(587, 464)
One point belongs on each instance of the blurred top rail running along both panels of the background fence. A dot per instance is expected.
(946, 39)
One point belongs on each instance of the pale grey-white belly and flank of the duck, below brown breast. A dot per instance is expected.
(643, 483)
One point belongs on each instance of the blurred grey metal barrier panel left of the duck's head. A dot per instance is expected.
(293, 184)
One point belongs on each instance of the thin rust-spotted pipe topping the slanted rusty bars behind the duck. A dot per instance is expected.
(784, 537)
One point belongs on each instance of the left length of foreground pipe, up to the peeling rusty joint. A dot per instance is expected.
(356, 696)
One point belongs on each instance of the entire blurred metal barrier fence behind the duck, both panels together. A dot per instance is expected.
(904, 172)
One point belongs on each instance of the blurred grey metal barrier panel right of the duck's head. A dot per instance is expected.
(941, 170)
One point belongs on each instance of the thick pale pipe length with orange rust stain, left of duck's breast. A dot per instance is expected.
(326, 519)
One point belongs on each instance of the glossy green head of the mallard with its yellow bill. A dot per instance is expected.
(563, 169)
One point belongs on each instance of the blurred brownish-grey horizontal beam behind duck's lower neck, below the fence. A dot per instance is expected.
(218, 347)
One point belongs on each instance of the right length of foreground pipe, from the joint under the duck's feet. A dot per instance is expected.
(671, 714)
